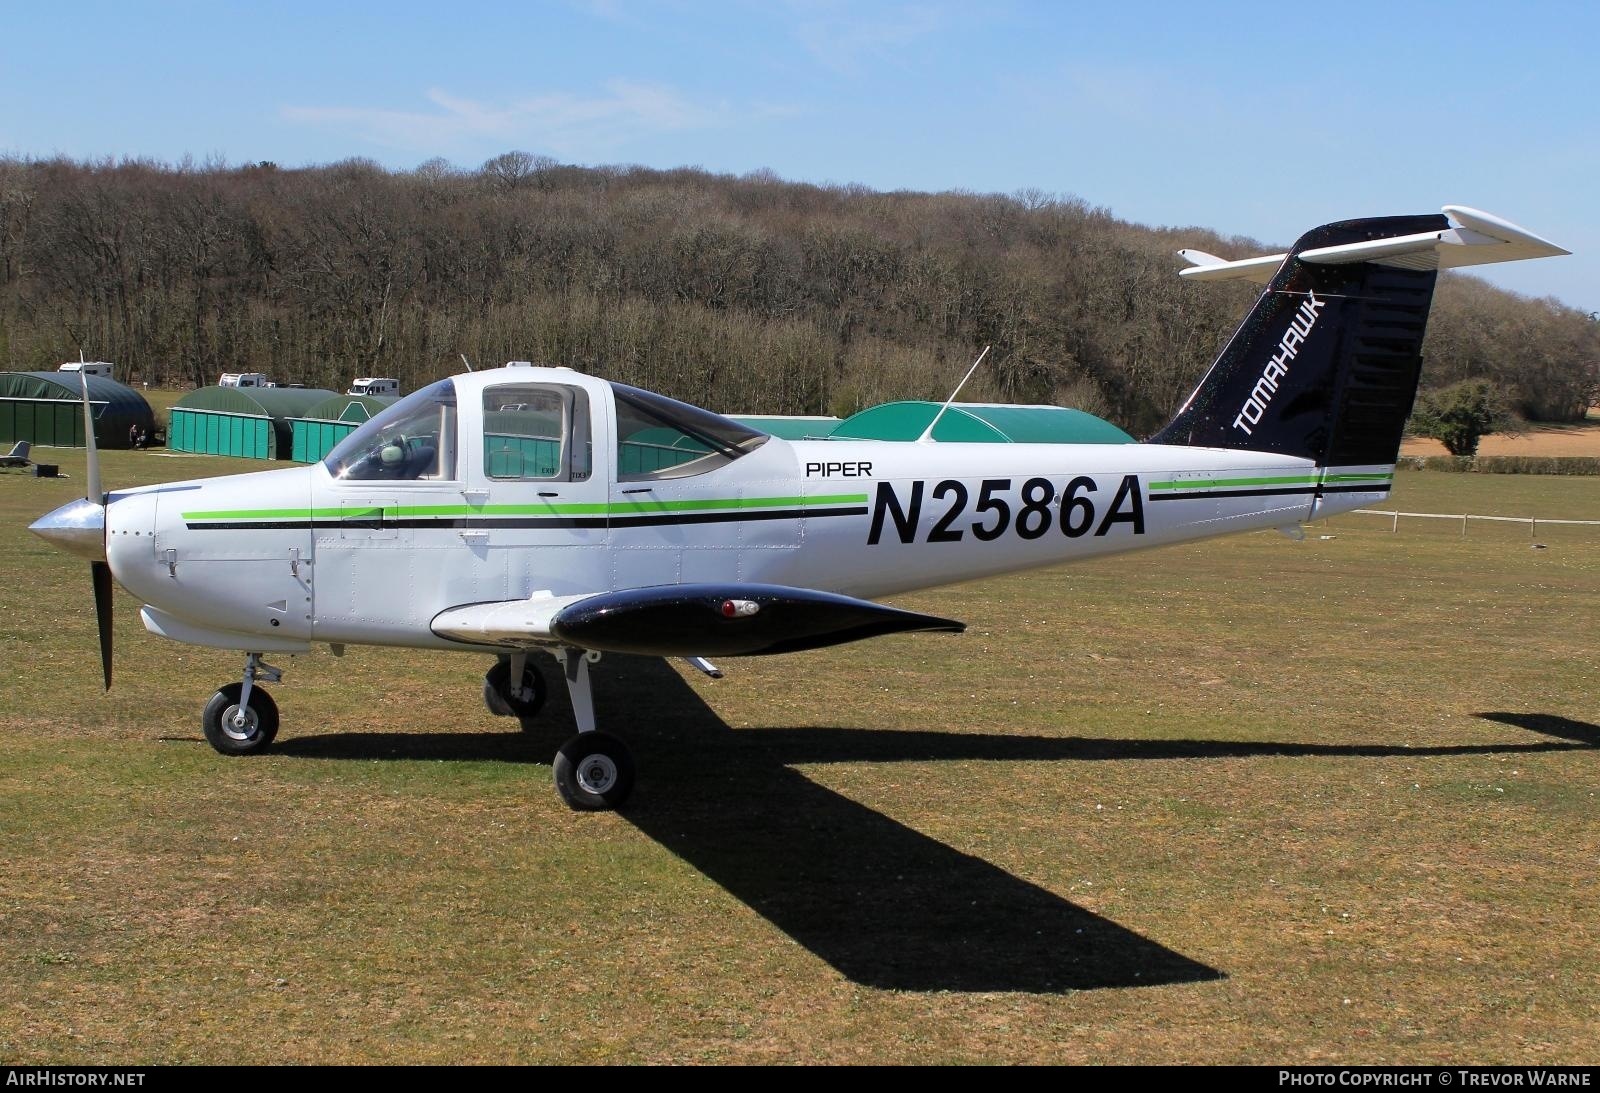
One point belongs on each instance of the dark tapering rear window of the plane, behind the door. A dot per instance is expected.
(660, 438)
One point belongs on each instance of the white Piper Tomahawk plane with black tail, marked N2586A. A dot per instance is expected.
(526, 508)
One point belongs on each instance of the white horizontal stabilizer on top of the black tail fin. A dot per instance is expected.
(1473, 239)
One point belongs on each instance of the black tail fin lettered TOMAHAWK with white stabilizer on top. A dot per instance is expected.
(1326, 366)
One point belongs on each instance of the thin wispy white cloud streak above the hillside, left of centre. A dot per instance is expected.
(561, 124)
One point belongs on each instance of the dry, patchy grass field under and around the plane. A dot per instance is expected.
(1246, 801)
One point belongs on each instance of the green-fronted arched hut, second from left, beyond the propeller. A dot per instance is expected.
(241, 422)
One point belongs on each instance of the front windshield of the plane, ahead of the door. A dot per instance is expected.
(414, 441)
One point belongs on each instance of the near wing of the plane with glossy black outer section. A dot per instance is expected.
(684, 620)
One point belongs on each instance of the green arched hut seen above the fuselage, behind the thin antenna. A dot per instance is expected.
(980, 423)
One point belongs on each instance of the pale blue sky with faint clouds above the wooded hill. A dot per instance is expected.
(1252, 119)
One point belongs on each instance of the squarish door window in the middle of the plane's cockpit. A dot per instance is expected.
(537, 433)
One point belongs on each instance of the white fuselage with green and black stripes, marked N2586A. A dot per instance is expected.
(279, 559)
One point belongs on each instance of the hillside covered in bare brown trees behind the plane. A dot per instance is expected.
(742, 294)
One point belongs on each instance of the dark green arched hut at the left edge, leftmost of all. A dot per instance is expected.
(47, 409)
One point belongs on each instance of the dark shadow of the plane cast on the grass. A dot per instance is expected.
(884, 905)
